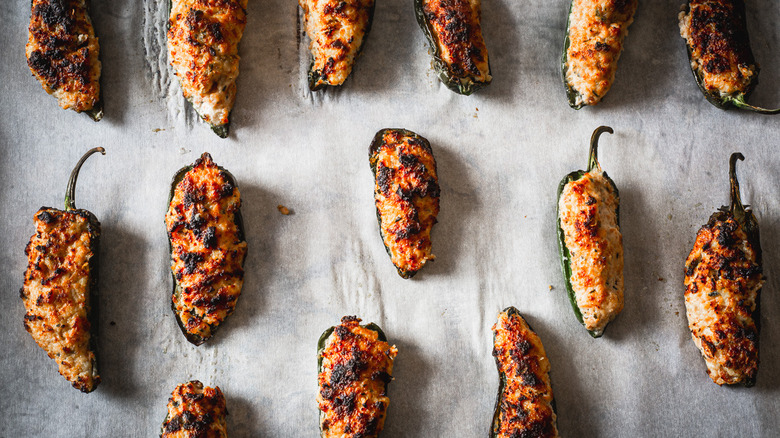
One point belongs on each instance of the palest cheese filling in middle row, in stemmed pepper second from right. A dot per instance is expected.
(588, 216)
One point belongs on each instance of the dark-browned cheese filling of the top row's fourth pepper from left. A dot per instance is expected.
(456, 28)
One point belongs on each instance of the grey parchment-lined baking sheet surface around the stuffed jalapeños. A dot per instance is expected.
(500, 154)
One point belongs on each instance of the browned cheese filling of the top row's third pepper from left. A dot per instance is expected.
(337, 30)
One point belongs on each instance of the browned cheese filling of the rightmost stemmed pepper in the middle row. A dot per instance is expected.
(722, 283)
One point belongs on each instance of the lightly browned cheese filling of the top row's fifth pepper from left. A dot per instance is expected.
(596, 32)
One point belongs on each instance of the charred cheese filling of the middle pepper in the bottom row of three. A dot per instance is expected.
(356, 368)
